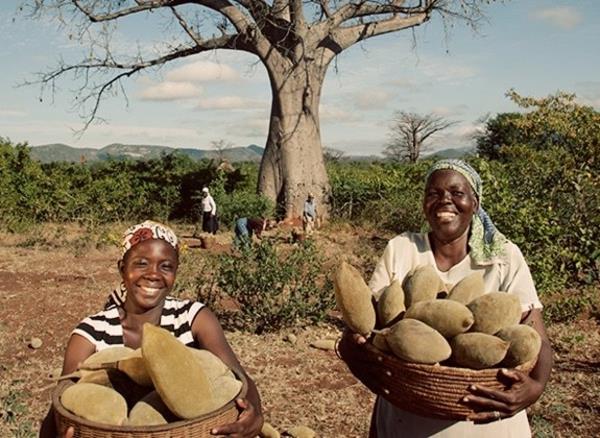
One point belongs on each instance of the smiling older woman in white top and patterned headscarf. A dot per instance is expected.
(462, 240)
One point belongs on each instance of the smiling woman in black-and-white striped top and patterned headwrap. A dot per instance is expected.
(148, 268)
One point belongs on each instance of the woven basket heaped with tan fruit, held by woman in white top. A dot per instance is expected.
(427, 342)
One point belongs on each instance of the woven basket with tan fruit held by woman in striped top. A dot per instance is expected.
(164, 389)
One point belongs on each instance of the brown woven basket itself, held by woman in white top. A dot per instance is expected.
(426, 390)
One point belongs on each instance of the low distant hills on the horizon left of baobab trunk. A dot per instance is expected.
(61, 152)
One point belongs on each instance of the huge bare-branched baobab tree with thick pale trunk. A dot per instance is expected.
(296, 41)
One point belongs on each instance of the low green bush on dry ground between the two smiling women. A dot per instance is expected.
(274, 287)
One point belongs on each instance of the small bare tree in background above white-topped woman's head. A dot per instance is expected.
(409, 134)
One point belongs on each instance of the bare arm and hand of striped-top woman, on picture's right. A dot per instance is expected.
(208, 333)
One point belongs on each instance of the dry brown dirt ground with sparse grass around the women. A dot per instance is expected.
(49, 282)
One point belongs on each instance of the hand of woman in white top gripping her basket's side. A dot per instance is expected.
(493, 404)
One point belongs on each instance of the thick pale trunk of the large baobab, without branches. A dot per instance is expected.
(293, 163)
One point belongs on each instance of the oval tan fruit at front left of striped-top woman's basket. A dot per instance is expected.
(95, 403)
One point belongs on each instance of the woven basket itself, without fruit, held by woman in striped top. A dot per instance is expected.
(195, 428)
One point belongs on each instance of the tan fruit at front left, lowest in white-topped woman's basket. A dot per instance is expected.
(414, 341)
